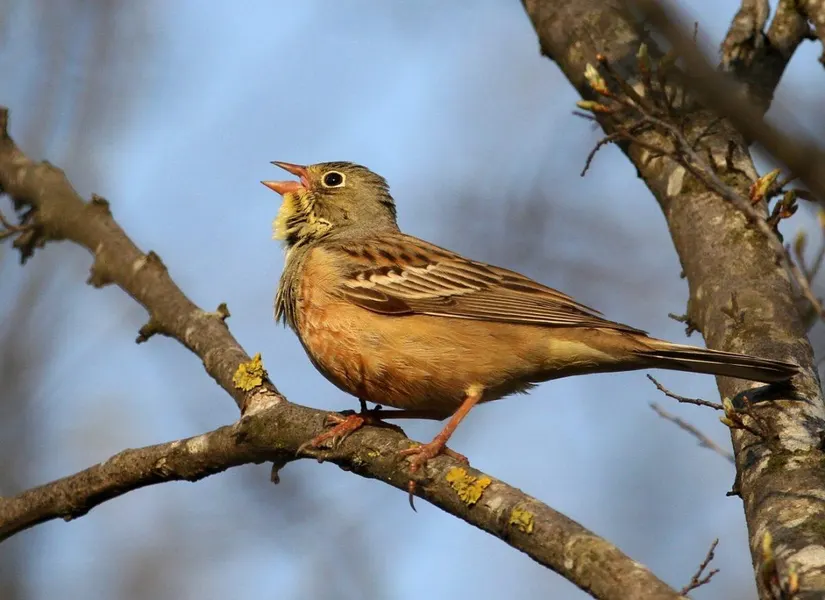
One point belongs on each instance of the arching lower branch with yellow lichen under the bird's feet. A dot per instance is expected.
(274, 434)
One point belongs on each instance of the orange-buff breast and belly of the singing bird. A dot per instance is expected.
(417, 361)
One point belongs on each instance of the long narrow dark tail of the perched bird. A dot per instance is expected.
(677, 357)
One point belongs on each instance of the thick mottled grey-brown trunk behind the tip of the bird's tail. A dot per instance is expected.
(727, 264)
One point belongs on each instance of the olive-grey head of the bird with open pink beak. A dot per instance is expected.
(328, 198)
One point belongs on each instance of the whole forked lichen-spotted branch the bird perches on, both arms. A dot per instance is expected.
(271, 428)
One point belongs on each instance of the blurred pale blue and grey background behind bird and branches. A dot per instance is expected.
(172, 111)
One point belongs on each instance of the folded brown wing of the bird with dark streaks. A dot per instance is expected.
(396, 274)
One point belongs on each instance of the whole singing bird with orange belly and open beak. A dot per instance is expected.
(397, 321)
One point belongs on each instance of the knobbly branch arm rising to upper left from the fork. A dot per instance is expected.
(59, 213)
